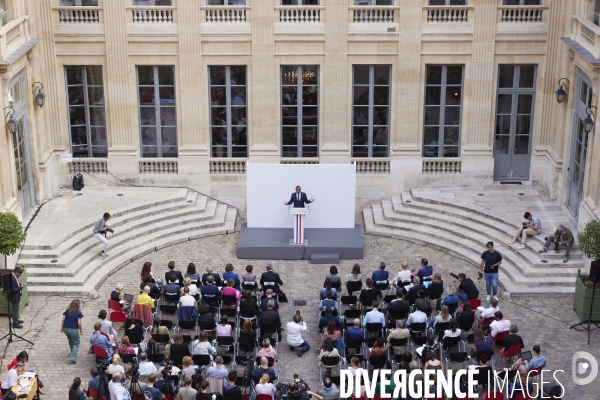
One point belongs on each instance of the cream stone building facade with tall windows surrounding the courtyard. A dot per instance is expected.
(416, 93)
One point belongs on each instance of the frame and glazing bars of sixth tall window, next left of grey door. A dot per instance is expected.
(442, 112)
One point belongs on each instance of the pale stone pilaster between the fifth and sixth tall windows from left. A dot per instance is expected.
(407, 126)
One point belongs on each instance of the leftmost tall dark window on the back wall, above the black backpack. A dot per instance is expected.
(87, 122)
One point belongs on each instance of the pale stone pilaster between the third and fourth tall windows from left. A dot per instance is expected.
(264, 83)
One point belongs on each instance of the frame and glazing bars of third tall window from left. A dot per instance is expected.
(228, 106)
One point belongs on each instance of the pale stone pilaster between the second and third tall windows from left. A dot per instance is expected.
(192, 97)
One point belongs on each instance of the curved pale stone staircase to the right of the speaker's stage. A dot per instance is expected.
(464, 229)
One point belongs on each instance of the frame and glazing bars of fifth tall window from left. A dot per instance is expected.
(371, 106)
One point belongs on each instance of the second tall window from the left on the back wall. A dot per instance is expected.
(158, 119)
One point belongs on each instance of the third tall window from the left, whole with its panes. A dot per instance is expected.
(228, 111)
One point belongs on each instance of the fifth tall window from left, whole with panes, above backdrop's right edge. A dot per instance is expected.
(371, 111)
